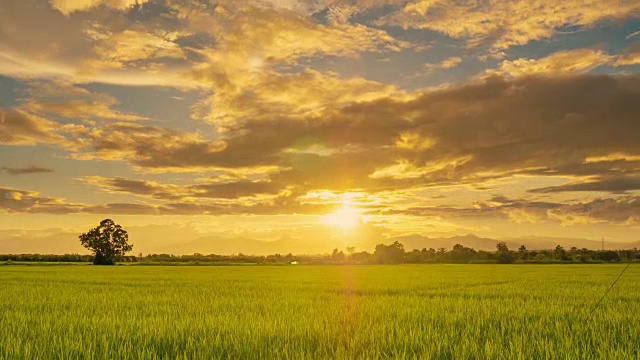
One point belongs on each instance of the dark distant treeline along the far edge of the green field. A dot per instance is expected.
(383, 254)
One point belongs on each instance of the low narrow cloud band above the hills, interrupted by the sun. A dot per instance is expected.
(621, 210)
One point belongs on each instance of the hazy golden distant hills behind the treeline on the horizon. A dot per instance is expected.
(182, 240)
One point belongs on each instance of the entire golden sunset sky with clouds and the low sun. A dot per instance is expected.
(320, 120)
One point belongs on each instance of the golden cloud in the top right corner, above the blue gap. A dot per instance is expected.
(505, 24)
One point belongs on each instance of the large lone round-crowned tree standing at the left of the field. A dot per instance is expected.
(108, 242)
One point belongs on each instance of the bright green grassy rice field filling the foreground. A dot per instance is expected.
(318, 312)
